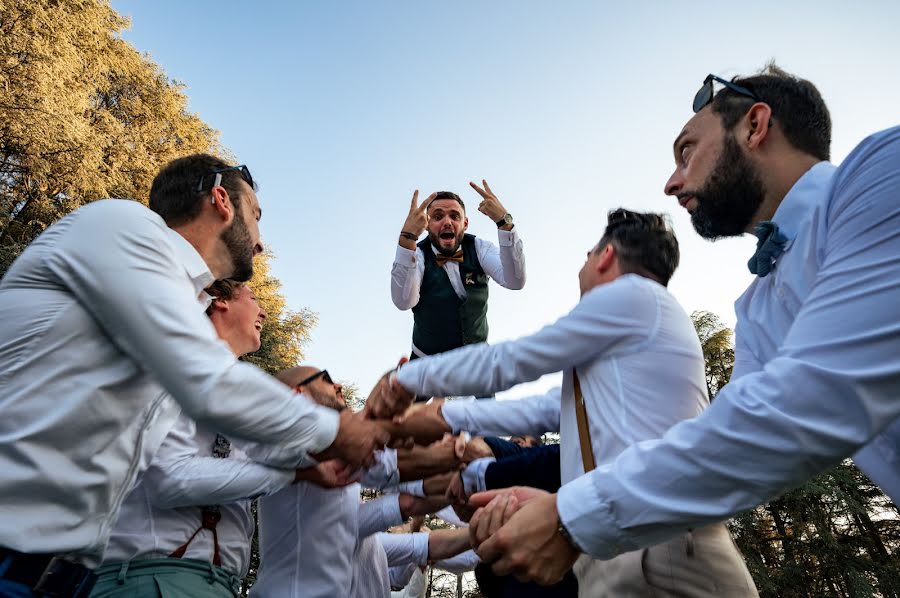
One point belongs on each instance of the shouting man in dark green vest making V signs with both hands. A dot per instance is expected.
(444, 278)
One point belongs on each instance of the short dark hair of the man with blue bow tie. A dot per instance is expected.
(797, 106)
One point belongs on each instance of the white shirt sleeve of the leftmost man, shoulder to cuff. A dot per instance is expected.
(118, 269)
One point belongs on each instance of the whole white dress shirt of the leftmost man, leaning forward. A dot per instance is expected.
(100, 318)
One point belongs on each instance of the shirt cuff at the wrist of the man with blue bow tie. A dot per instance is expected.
(588, 519)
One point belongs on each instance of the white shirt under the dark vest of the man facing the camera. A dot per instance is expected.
(506, 265)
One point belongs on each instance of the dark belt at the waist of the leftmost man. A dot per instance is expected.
(47, 574)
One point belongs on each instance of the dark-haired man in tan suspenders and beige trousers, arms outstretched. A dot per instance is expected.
(632, 369)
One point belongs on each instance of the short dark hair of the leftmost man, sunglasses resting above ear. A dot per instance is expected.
(174, 194)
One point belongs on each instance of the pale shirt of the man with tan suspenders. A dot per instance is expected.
(637, 356)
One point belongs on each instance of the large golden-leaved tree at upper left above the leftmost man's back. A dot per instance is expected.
(83, 116)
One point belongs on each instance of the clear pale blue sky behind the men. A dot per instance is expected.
(568, 109)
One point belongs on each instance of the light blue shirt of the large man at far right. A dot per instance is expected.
(817, 372)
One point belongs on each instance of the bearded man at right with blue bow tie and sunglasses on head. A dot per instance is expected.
(816, 374)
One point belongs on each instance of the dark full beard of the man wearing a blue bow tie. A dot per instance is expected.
(731, 196)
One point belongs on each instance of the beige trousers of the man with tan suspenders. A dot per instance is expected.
(702, 564)
